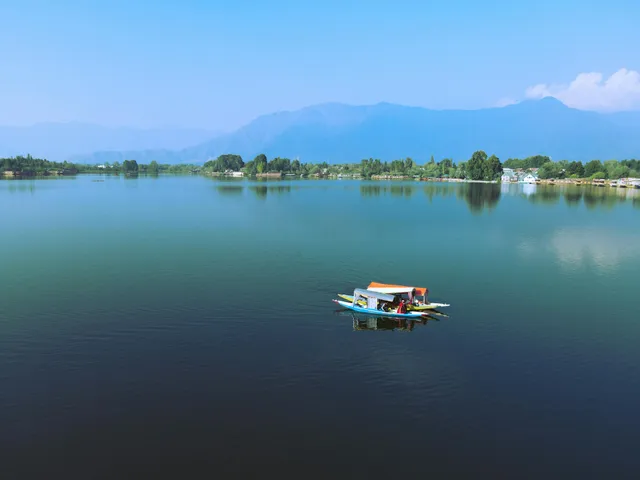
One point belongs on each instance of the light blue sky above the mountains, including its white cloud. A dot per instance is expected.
(219, 64)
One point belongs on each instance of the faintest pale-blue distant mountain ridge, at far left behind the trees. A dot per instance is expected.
(60, 141)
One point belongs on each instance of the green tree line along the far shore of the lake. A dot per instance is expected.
(479, 167)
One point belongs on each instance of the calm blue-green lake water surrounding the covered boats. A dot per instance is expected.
(183, 326)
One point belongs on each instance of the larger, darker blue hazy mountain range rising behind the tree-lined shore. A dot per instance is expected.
(339, 133)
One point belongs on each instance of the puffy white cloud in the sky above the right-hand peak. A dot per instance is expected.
(591, 91)
